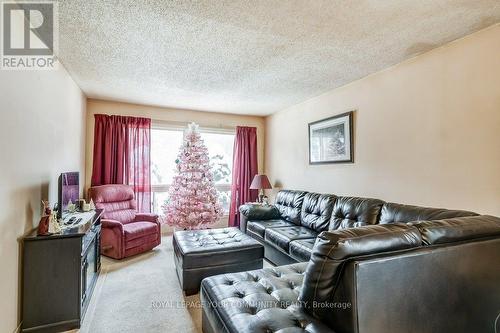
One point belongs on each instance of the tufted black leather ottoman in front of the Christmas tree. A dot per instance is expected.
(202, 253)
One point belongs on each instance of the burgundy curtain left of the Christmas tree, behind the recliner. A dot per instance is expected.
(122, 155)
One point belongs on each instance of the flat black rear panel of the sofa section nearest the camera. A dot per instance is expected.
(416, 290)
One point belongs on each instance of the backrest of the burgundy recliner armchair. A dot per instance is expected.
(117, 200)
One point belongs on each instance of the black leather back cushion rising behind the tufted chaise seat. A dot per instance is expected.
(331, 251)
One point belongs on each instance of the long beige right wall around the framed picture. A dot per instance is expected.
(427, 131)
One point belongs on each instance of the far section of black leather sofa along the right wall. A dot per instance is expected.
(289, 228)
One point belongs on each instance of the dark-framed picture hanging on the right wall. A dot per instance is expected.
(331, 140)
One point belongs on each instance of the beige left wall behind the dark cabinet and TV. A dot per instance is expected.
(43, 134)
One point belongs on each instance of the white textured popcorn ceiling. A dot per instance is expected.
(249, 57)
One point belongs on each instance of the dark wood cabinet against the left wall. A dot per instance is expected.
(59, 274)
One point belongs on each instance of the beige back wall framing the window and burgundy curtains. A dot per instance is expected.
(204, 119)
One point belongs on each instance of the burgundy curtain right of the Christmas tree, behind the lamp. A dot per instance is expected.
(244, 169)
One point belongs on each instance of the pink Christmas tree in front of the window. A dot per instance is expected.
(193, 202)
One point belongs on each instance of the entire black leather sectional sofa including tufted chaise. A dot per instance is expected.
(361, 265)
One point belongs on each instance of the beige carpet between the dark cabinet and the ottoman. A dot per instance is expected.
(142, 294)
